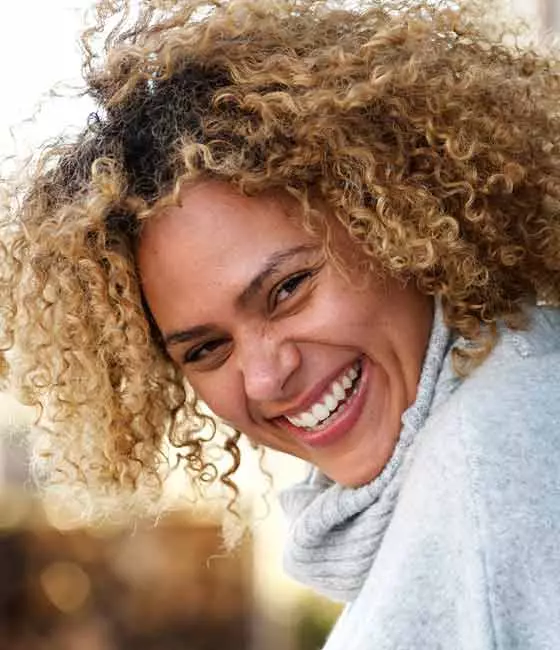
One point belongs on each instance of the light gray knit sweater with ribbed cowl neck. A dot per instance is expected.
(456, 544)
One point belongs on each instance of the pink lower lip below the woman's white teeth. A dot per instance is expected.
(343, 422)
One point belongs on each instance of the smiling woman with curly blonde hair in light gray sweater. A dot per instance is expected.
(339, 229)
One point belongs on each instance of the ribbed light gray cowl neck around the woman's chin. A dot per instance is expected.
(336, 531)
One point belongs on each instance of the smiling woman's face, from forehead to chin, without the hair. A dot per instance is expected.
(272, 336)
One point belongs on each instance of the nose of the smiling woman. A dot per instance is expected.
(267, 364)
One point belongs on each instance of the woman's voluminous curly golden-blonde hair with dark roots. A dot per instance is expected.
(434, 143)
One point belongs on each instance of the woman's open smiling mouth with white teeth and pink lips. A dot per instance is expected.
(335, 412)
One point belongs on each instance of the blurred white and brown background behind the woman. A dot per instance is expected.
(149, 585)
